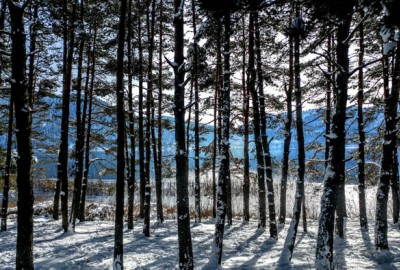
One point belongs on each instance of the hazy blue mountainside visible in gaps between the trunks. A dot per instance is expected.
(47, 133)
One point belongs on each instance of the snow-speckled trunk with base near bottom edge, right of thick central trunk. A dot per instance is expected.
(224, 169)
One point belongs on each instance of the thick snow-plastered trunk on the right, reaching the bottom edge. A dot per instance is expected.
(334, 174)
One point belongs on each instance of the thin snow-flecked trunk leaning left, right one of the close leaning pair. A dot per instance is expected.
(264, 138)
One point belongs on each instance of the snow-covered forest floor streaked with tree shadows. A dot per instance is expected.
(245, 246)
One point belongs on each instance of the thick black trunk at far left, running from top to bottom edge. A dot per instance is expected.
(23, 118)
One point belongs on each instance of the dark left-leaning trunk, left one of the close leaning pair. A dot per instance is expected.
(256, 123)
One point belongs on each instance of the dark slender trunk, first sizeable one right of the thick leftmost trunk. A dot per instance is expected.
(62, 170)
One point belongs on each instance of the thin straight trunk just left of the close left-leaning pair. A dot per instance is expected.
(246, 109)
